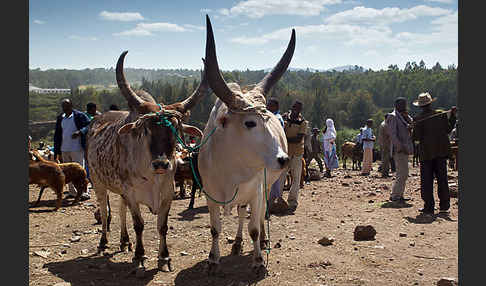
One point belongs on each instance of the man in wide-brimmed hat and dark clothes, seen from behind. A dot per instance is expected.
(432, 130)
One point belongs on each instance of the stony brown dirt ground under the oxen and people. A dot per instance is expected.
(409, 249)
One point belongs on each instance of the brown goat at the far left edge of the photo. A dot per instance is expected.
(46, 174)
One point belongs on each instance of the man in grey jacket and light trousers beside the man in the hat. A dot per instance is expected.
(398, 126)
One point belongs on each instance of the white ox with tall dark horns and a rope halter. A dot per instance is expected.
(248, 139)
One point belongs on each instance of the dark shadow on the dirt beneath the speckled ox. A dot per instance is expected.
(98, 270)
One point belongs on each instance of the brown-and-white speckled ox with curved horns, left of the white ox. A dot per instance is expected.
(130, 154)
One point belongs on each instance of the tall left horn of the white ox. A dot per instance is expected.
(215, 79)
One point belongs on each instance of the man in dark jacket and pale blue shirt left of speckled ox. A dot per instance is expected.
(69, 139)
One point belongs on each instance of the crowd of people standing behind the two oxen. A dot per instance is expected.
(396, 134)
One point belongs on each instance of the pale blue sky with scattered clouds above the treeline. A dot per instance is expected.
(249, 34)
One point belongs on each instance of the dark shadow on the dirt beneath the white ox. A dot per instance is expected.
(233, 270)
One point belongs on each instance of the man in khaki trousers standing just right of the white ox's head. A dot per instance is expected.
(295, 127)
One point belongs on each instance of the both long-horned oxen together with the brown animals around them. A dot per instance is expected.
(134, 154)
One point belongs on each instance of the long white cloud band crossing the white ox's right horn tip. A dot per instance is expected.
(442, 33)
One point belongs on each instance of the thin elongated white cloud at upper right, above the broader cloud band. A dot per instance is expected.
(371, 16)
